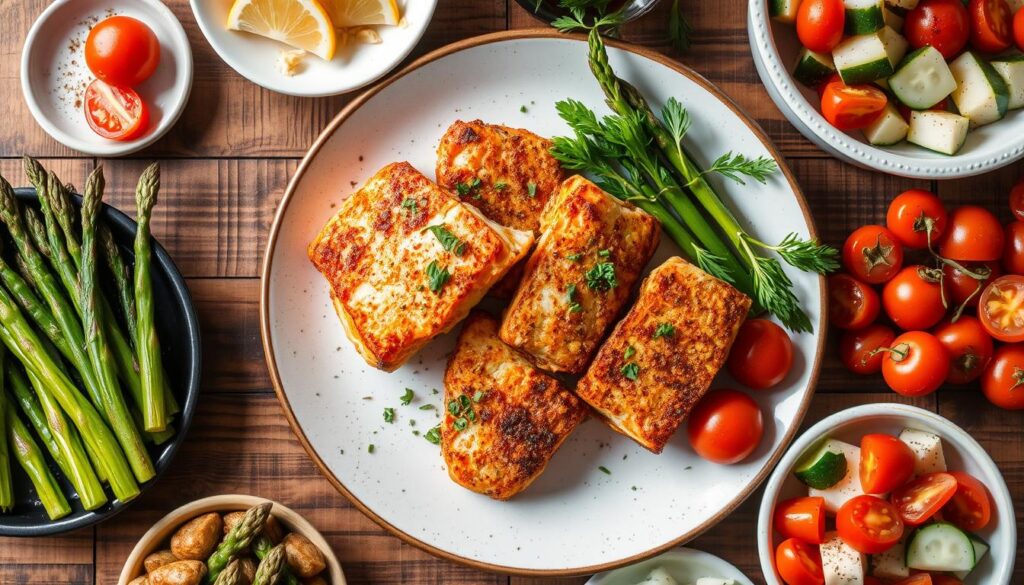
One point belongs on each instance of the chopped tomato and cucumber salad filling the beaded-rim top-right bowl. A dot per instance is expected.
(922, 71)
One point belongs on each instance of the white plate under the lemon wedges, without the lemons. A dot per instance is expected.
(354, 65)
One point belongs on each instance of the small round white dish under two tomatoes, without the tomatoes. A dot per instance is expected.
(55, 74)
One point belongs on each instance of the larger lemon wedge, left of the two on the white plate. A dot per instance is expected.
(302, 24)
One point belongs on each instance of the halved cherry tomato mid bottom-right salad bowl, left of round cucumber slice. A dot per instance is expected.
(869, 525)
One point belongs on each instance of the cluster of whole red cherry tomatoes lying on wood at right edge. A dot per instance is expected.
(944, 317)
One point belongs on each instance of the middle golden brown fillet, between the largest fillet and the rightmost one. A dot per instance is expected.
(591, 254)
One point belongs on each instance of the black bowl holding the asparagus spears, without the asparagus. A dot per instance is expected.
(178, 327)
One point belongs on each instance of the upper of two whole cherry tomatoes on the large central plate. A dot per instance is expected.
(761, 356)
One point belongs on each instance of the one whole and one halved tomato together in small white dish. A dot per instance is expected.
(122, 53)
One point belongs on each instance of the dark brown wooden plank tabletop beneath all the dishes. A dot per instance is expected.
(226, 166)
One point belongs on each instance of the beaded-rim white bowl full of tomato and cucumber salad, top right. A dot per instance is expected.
(918, 89)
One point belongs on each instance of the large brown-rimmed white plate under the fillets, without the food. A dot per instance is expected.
(575, 520)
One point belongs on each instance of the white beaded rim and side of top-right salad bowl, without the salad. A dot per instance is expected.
(776, 48)
